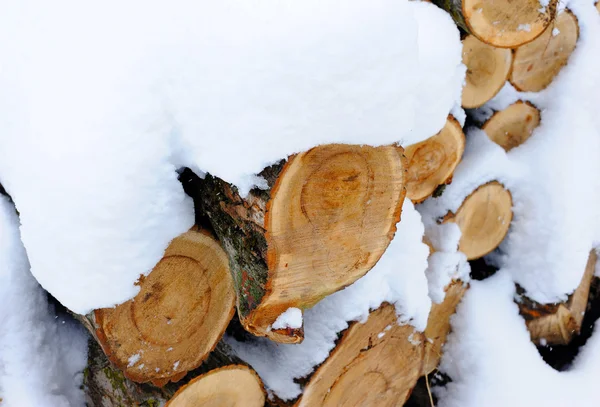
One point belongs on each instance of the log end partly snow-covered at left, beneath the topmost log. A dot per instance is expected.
(488, 69)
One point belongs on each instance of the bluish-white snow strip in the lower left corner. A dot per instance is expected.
(42, 357)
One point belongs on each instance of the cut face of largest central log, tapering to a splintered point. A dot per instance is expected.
(332, 213)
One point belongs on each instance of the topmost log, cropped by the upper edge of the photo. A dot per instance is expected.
(505, 23)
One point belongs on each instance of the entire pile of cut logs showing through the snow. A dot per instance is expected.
(322, 220)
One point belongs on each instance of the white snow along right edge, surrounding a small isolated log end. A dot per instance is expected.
(552, 177)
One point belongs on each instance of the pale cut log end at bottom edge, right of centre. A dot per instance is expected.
(374, 364)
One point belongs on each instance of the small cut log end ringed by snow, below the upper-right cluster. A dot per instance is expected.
(511, 127)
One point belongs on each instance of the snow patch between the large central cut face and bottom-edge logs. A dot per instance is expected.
(398, 278)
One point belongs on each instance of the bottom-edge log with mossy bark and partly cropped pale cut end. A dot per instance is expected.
(107, 386)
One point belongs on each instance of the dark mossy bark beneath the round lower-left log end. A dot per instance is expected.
(106, 386)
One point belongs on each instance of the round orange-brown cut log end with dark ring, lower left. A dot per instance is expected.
(178, 316)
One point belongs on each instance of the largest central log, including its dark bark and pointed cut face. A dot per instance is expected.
(324, 221)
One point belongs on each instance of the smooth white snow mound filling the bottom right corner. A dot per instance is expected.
(493, 362)
